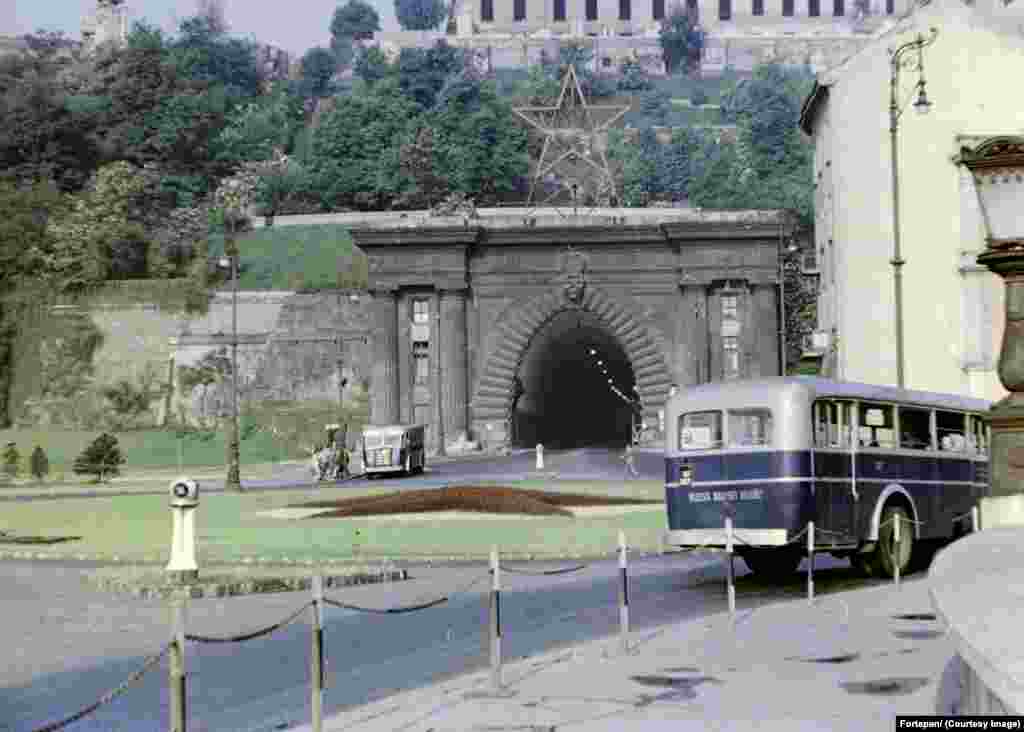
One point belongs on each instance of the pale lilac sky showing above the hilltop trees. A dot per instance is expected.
(294, 26)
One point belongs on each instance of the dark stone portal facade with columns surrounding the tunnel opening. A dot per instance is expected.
(690, 296)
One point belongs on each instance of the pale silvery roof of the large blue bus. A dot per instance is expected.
(843, 390)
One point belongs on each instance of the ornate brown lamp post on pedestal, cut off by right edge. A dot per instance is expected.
(998, 168)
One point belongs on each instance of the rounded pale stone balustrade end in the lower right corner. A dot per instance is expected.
(977, 590)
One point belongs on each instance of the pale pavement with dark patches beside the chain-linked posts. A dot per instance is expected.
(844, 664)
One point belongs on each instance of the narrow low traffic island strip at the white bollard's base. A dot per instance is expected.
(242, 587)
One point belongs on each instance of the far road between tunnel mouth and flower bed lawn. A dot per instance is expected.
(582, 464)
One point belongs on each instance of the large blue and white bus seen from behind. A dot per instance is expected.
(776, 454)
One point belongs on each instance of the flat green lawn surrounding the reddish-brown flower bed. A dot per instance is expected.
(139, 529)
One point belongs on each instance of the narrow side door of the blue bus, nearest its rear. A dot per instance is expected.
(835, 491)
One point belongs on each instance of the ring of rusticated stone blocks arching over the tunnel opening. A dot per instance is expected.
(521, 322)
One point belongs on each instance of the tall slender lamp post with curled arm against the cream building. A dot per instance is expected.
(922, 105)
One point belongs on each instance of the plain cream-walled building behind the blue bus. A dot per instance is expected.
(953, 309)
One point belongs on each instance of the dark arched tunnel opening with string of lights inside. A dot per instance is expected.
(575, 387)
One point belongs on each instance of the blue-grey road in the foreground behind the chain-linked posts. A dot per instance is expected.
(67, 644)
